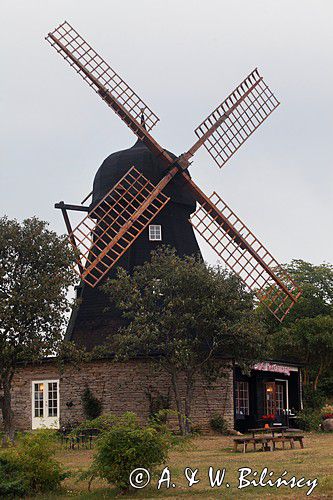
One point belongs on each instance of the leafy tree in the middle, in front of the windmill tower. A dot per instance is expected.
(185, 316)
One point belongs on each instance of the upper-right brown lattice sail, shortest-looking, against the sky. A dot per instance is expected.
(242, 112)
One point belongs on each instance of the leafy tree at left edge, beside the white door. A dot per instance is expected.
(35, 272)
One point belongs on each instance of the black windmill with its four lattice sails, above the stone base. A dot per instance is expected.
(144, 195)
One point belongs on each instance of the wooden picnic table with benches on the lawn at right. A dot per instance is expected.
(268, 439)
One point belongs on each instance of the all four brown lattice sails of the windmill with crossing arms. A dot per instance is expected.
(112, 225)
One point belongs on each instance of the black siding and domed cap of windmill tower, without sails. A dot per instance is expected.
(91, 323)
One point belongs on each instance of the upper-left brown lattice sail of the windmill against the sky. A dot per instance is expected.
(102, 74)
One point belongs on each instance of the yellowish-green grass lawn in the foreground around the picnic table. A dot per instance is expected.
(314, 461)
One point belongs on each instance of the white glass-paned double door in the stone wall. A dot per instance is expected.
(45, 404)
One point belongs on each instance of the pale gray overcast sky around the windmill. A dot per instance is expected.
(182, 57)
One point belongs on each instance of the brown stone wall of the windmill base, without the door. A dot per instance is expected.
(121, 387)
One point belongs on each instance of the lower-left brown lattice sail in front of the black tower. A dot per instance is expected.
(108, 230)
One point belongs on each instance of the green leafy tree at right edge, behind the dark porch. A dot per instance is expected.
(307, 332)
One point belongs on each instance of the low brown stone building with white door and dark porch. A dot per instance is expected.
(45, 397)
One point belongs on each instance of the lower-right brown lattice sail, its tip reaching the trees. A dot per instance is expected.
(242, 262)
